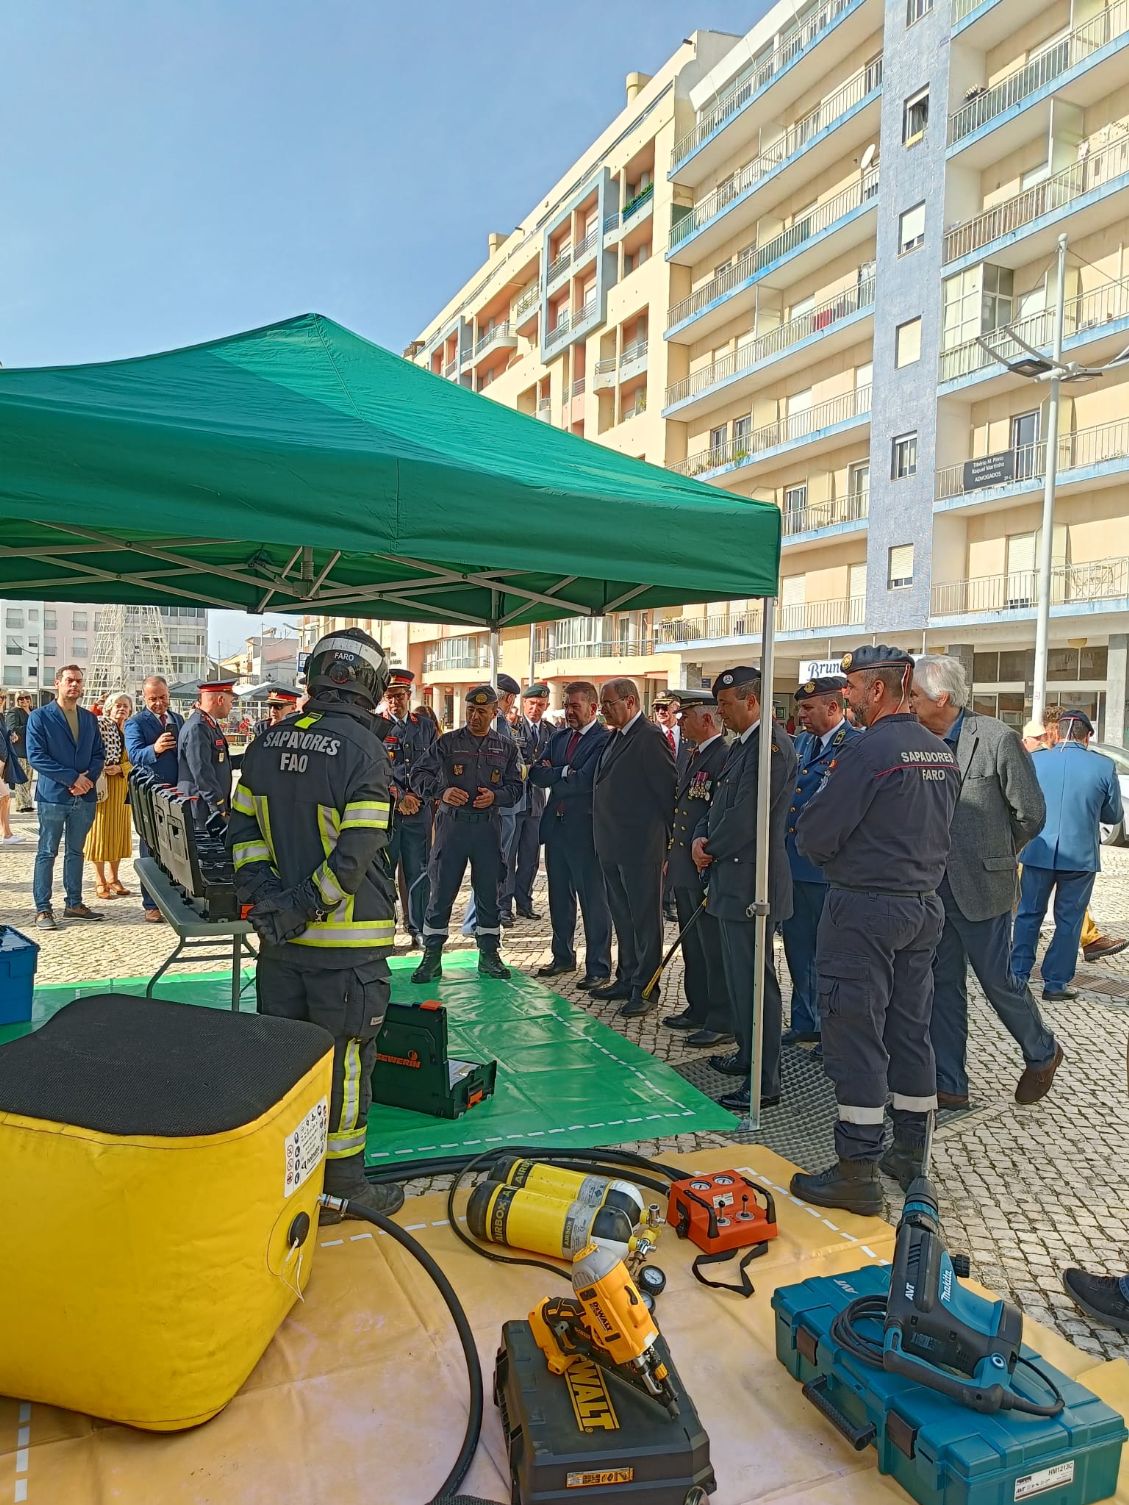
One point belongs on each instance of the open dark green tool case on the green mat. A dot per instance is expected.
(415, 1071)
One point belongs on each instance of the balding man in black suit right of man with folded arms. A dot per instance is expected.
(633, 812)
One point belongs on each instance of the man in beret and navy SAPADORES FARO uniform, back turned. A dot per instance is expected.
(878, 829)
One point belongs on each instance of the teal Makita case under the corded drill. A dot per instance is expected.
(940, 1452)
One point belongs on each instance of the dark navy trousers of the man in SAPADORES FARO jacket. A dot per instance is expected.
(875, 1000)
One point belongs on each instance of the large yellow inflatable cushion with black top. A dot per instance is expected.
(160, 1169)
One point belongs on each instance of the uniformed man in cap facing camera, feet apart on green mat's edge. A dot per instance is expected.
(475, 776)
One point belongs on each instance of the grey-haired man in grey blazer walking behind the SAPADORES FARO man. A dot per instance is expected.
(999, 810)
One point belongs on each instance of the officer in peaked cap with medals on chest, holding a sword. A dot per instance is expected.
(707, 1017)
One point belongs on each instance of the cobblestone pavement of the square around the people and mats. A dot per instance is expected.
(1026, 1191)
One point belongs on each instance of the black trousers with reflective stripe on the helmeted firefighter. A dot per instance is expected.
(350, 1003)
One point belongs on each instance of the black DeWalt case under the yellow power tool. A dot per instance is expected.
(592, 1437)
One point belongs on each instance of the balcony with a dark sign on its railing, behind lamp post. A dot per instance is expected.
(1088, 460)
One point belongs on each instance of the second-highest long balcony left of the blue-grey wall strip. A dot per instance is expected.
(817, 142)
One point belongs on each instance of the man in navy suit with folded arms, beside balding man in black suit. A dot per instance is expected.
(571, 865)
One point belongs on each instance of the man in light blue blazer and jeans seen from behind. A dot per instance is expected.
(1082, 791)
